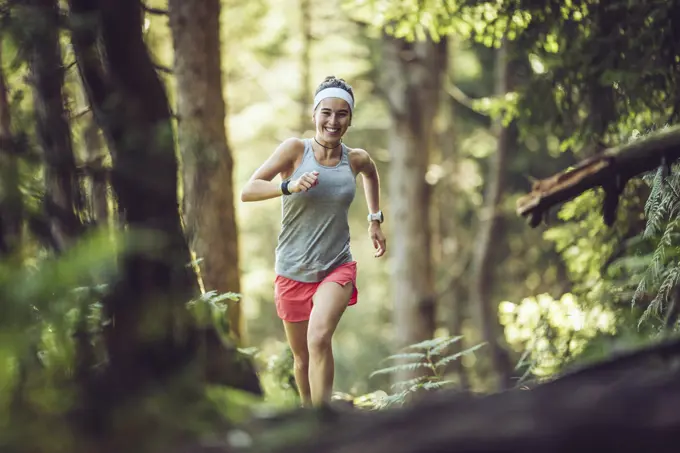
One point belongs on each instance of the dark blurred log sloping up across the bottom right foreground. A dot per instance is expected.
(628, 402)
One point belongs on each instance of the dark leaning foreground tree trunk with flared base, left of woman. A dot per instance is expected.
(151, 339)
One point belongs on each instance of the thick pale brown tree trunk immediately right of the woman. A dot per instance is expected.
(412, 77)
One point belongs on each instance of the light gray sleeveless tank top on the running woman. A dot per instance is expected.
(314, 237)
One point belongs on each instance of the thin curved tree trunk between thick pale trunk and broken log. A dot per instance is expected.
(489, 239)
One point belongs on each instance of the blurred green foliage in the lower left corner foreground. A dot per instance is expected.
(49, 305)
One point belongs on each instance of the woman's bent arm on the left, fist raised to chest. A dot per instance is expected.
(282, 161)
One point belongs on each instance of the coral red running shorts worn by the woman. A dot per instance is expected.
(294, 299)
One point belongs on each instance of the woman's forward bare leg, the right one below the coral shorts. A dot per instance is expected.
(330, 301)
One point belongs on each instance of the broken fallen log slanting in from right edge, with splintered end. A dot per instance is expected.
(610, 169)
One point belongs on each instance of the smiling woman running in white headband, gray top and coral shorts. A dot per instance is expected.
(315, 271)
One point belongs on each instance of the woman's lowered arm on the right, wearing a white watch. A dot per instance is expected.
(369, 173)
